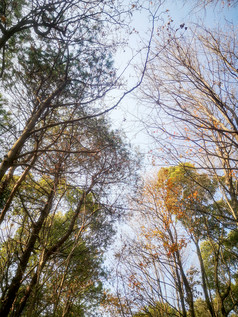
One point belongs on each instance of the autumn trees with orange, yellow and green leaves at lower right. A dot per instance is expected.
(177, 212)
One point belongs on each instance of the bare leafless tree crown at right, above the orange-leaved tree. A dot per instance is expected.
(193, 83)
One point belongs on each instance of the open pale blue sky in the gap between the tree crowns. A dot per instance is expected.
(130, 59)
